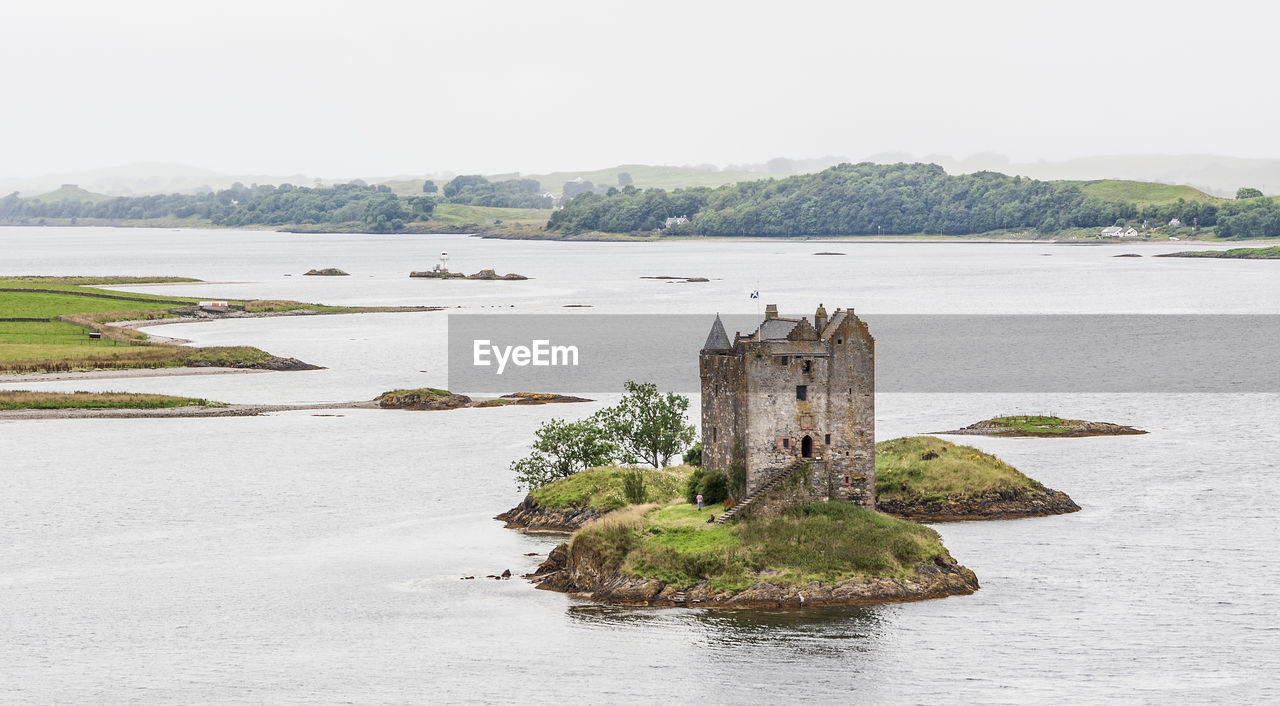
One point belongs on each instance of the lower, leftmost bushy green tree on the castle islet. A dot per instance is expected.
(563, 450)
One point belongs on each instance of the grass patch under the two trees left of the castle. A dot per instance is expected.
(602, 488)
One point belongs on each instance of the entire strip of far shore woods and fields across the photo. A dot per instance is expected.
(913, 201)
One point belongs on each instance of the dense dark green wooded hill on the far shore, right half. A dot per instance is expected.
(868, 199)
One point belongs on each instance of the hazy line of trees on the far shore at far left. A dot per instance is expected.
(373, 208)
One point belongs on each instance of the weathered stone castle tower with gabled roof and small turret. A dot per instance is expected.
(789, 396)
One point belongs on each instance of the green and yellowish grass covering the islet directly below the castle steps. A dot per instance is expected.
(824, 542)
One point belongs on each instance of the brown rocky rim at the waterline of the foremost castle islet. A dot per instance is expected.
(582, 574)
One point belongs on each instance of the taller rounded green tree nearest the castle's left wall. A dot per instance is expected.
(648, 427)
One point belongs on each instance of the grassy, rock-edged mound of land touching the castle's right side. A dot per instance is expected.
(931, 480)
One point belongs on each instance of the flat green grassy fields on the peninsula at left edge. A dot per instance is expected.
(65, 324)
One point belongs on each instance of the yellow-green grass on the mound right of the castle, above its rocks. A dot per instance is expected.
(926, 469)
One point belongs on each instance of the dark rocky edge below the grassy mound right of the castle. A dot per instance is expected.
(1005, 505)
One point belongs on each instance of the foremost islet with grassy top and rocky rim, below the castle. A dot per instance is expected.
(810, 556)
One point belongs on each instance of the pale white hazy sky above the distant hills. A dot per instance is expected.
(367, 88)
